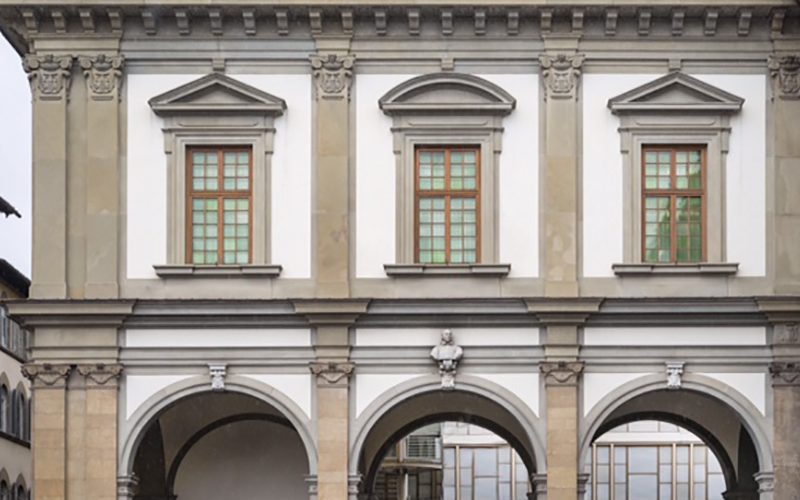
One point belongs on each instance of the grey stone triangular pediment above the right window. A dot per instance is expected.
(676, 92)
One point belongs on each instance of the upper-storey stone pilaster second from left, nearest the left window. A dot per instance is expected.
(103, 75)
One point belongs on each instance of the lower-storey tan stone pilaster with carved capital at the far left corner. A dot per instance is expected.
(49, 432)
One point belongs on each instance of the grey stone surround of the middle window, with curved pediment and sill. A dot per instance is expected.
(449, 122)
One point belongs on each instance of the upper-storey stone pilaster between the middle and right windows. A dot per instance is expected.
(560, 74)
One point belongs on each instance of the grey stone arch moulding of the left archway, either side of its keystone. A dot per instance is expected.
(165, 398)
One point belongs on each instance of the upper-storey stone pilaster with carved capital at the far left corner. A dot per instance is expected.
(50, 77)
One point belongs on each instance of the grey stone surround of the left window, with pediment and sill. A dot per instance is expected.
(200, 124)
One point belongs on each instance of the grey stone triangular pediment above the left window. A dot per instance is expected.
(216, 93)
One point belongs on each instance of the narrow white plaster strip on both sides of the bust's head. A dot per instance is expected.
(376, 337)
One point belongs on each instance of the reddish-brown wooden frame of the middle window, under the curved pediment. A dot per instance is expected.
(448, 194)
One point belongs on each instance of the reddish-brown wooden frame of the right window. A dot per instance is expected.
(673, 193)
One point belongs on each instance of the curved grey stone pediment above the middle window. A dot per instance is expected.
(447, 93)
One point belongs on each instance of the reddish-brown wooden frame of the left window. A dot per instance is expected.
(220, 194)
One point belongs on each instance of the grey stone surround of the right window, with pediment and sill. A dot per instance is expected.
(675, 124)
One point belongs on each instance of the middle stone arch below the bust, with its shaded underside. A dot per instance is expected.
(492, 397)
